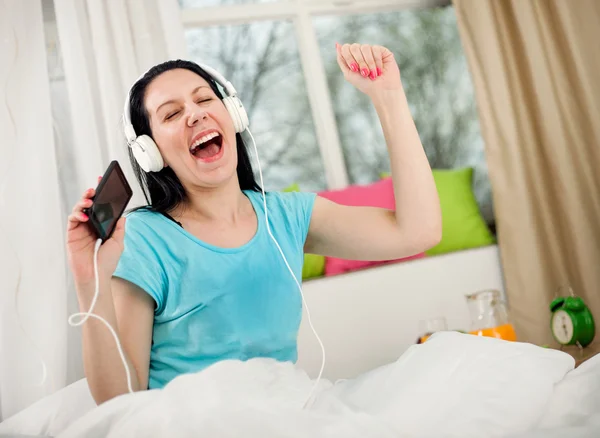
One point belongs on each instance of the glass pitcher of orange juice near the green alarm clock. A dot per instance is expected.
(489, 316)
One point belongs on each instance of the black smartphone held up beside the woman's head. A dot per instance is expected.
(112, 196)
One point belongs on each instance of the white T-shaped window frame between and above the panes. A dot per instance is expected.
(300, 13)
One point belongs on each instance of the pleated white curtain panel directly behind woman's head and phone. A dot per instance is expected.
(105, 46)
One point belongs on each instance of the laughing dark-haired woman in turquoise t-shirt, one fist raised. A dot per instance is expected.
(194, 278)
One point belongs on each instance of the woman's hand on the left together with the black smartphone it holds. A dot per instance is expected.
(97, 215)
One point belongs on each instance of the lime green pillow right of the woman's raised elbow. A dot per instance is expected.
(463, 225)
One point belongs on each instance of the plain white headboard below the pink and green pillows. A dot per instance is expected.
(369, 318)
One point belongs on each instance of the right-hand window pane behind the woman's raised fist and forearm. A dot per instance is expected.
(435, 76)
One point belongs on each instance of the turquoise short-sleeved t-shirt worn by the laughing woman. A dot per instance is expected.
(217, 303)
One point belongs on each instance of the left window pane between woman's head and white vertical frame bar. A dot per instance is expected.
(261, 61)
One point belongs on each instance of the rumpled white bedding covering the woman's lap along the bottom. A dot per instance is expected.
(454, 385)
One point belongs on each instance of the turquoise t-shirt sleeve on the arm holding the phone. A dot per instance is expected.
(139, 262)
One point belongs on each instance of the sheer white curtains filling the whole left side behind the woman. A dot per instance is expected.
(67, 129)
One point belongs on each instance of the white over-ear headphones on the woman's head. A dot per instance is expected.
(143, 147)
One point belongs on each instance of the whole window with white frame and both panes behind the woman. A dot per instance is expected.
(434, 72)
